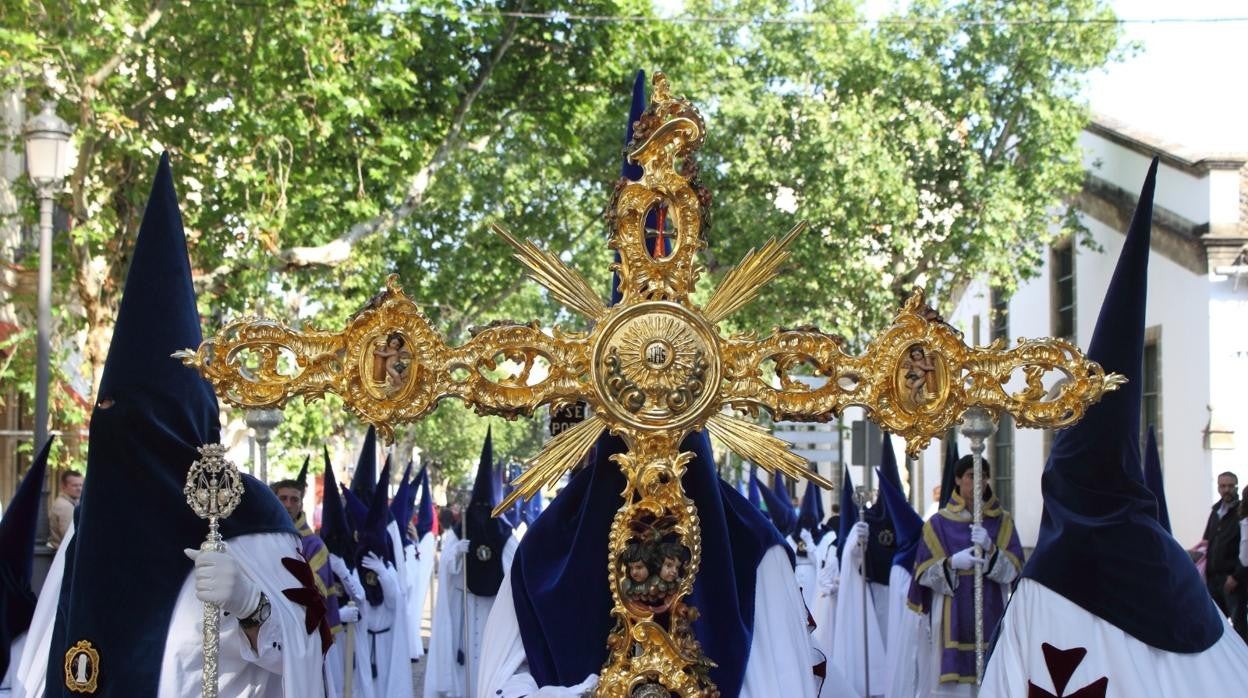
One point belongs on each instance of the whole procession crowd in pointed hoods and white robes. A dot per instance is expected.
(870, 602)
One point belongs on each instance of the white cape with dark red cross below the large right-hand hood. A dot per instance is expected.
(1038, 616)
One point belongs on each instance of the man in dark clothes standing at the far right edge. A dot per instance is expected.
(1226, 576)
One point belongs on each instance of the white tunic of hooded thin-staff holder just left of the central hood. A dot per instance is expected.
(445, 677)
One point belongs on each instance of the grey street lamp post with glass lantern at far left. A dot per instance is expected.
(48, 140)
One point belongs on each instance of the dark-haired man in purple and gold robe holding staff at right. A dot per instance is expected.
(944, 581)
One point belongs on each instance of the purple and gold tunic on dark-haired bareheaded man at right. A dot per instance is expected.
(945, 534)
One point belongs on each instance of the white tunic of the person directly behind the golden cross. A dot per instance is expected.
(781, 650)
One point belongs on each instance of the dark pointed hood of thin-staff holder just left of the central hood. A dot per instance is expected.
(487, 534)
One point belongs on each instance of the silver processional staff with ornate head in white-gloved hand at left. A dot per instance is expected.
(214, 489)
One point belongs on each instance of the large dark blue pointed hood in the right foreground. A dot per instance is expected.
(1100, 544)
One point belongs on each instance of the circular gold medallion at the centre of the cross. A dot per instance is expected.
(656, 365)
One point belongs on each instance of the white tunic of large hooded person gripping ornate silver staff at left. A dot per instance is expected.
(285, 664)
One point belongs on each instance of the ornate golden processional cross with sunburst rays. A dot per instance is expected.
(653, 369)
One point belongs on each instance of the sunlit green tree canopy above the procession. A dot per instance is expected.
(320, 145)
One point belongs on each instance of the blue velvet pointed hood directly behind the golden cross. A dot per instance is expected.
(560, 578)
